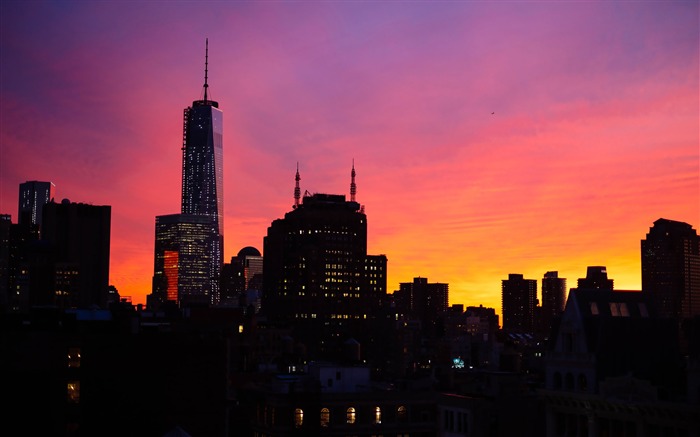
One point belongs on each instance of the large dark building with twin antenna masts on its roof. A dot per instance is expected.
(317, 272)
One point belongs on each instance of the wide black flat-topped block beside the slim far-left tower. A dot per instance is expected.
(74, 251)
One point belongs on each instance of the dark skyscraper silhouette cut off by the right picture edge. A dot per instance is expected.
(671, 268)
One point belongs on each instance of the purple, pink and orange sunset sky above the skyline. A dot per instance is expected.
(594, 133)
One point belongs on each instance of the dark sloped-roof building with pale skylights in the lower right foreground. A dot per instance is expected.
(615, 368)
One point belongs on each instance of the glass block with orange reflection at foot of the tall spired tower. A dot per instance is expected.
(184, 271)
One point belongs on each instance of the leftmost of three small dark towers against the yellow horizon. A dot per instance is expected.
(518, 300)
